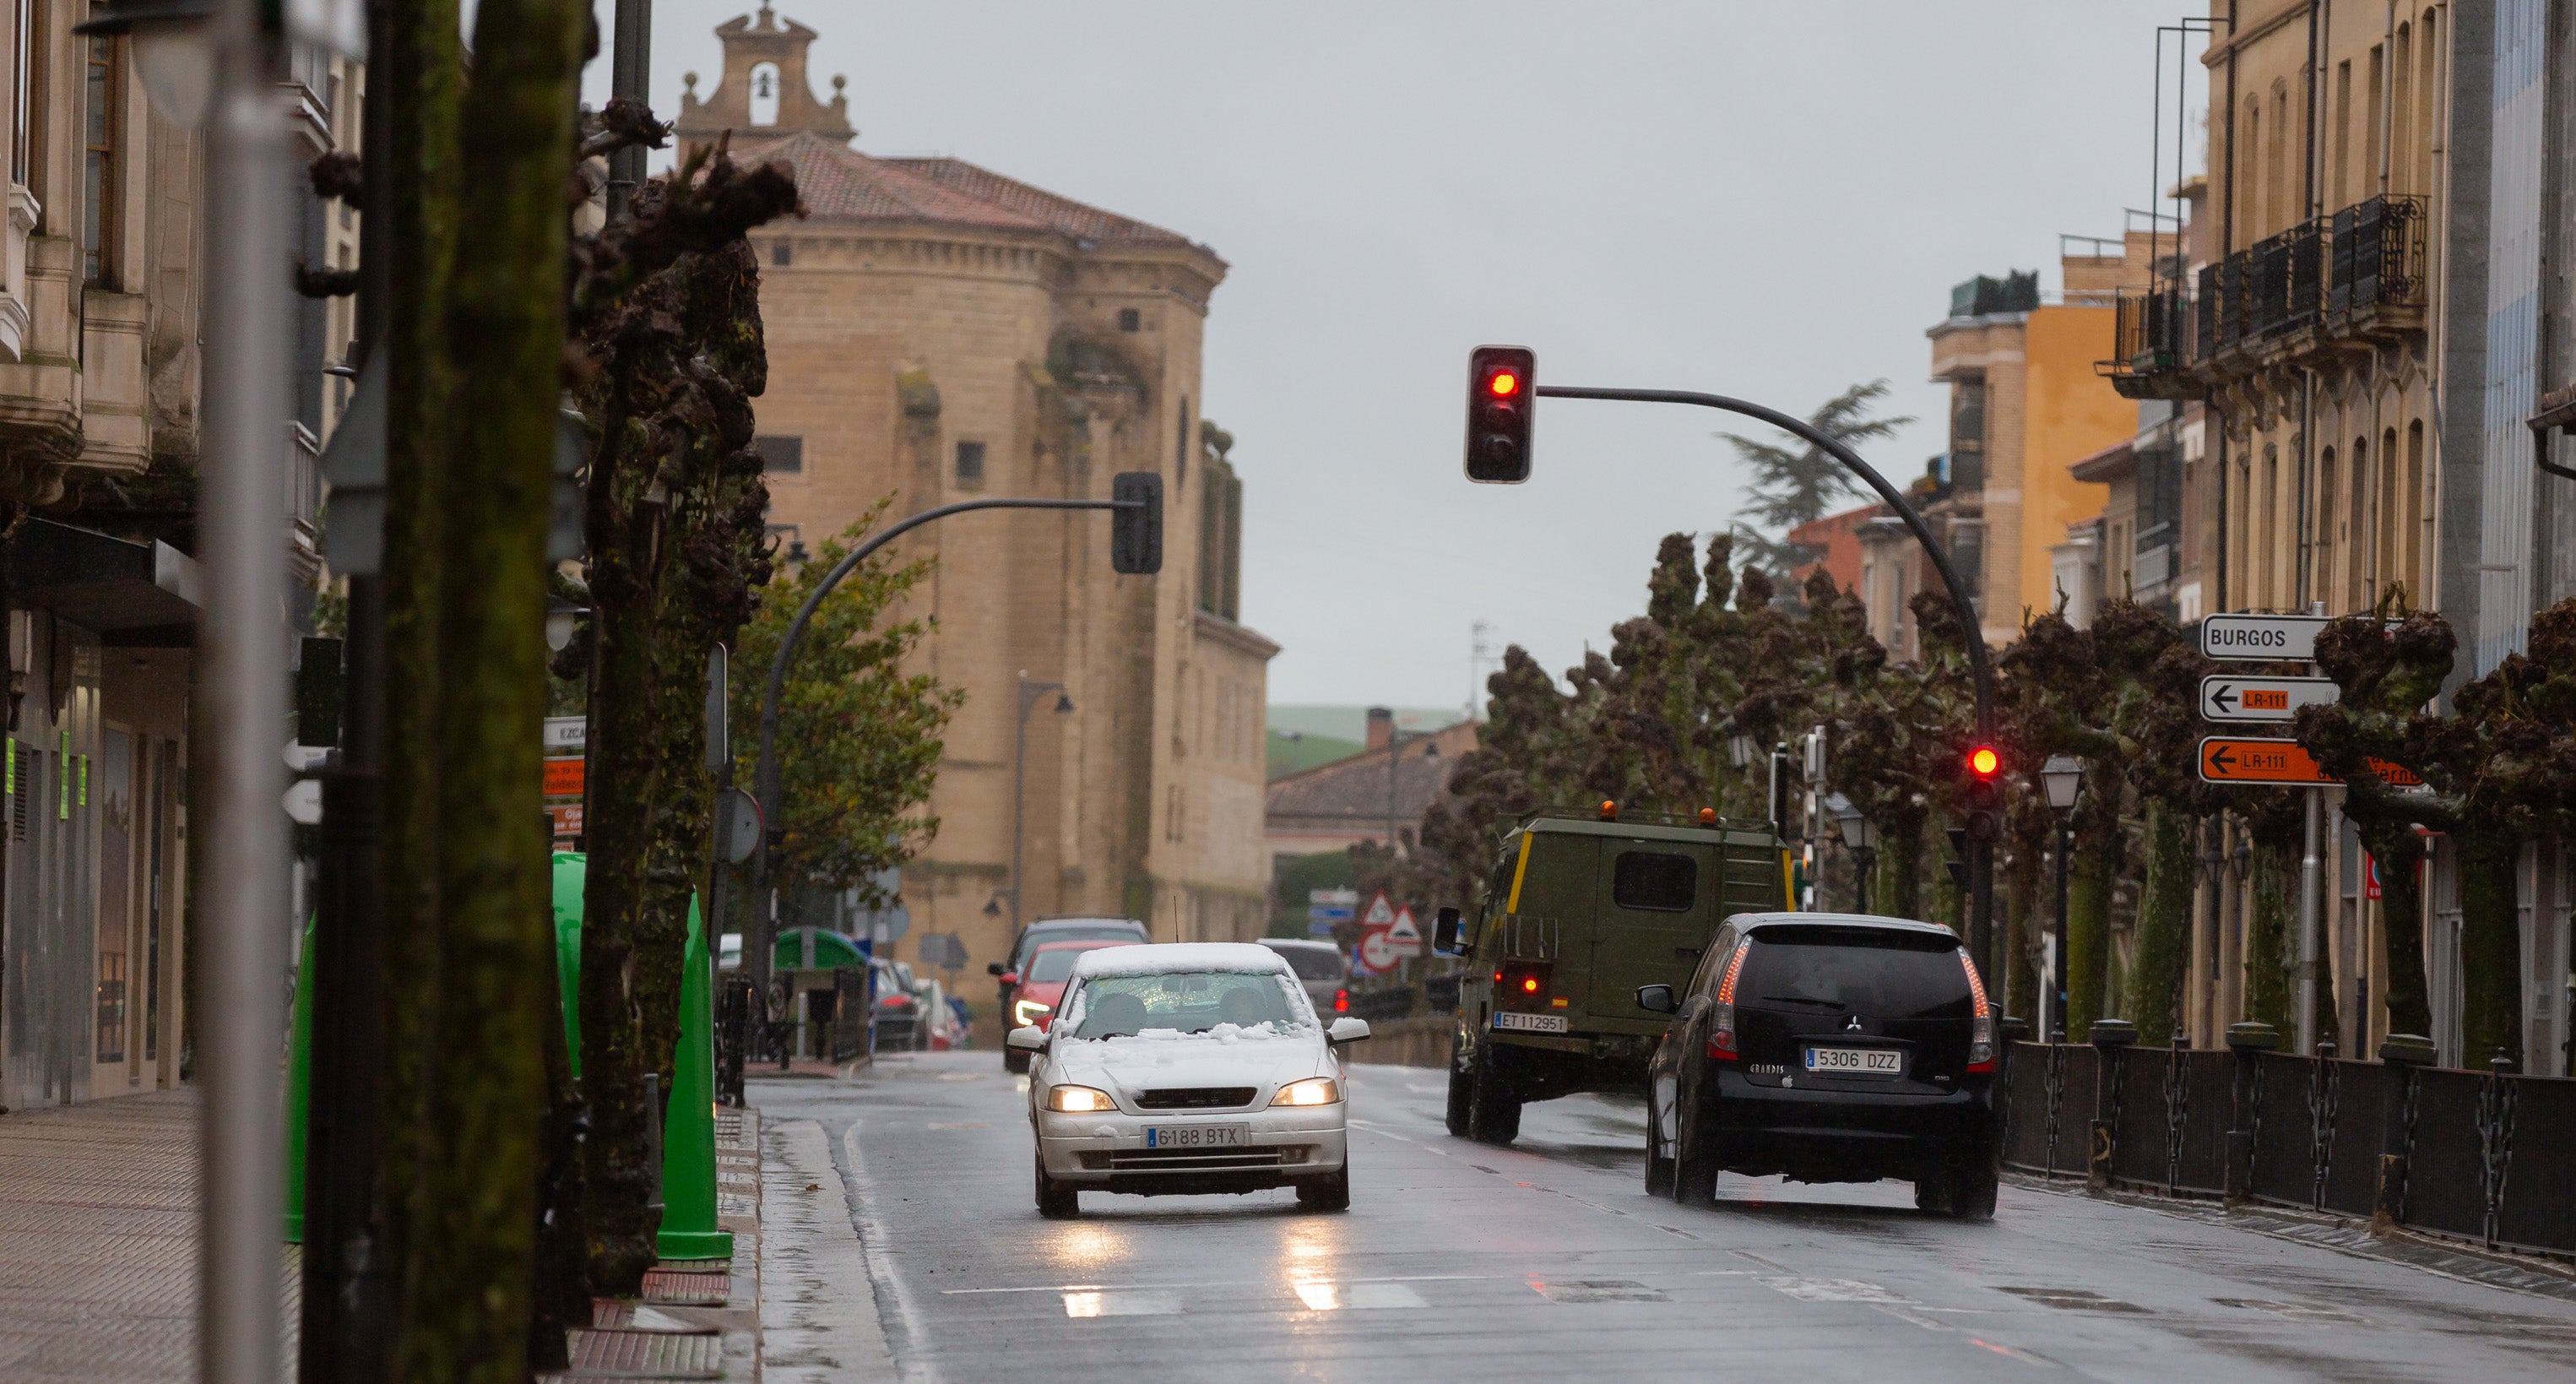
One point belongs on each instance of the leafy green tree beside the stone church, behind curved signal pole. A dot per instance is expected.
(859, 738)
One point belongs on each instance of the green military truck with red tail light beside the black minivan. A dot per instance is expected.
(1578, 914)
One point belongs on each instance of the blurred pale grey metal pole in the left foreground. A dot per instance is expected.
(243, 677)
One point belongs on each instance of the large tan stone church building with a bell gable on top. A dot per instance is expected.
(939, 331)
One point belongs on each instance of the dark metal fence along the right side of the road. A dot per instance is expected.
(2479, 1156)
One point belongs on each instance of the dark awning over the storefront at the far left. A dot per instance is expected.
(130, 594)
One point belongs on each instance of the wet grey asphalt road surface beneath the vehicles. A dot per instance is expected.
(1549, 1262)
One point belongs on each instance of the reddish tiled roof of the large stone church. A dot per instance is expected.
(841, 184)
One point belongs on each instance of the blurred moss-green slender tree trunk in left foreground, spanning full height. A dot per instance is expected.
(470, 1295)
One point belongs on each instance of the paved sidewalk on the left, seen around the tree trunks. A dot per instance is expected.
(99, 1259)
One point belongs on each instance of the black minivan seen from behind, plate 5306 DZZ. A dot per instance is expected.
(1828, 1048)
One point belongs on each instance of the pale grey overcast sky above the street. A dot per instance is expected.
(1740, 197)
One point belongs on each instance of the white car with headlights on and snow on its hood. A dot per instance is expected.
(1191, 1068)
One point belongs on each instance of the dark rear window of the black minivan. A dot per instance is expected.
(1856, 970)
